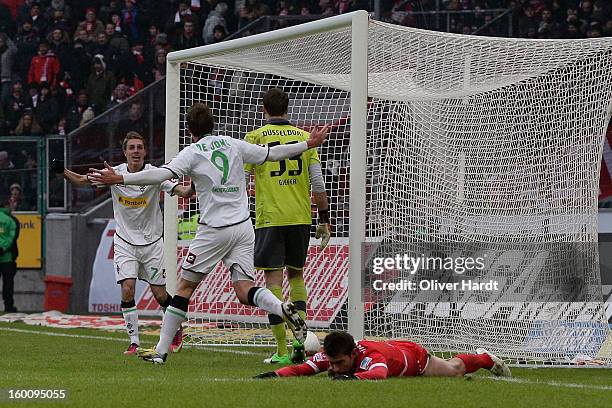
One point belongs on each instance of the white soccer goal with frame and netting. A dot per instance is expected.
(440, 144)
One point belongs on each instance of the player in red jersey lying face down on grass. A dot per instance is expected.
(345, 359)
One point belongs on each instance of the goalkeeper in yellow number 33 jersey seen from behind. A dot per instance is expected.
(283, 215)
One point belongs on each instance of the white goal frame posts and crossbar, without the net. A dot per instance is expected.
(358, 21)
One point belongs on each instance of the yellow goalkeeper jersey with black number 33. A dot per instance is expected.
(282, 189)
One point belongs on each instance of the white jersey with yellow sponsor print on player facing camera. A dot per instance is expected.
(136, 209)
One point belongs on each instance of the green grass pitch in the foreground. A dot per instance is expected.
(95, 373)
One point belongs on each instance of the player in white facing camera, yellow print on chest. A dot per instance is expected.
(138, 240)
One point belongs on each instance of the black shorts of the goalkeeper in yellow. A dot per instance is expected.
(277, 247)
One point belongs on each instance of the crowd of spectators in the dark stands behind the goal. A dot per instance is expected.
(62, 62)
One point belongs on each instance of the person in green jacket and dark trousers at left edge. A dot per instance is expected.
(9, 232)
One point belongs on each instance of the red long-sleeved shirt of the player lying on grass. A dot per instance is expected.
(376, 360)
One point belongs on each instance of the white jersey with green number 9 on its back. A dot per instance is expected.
(216, 166)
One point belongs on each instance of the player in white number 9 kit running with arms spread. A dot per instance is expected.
(215, 165)
